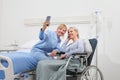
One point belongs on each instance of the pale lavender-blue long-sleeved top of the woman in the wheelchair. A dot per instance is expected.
(75, 47)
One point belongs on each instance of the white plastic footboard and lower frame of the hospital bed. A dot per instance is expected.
(9, 72)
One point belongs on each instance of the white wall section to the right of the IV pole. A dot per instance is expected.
(109, 60)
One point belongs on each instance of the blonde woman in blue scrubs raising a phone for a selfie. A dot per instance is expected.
(49, 43)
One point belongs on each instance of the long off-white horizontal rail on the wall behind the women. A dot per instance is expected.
(89, 19)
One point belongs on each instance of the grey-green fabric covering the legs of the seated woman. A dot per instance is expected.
(46, 68)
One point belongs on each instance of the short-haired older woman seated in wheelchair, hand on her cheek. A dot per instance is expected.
(52, 69)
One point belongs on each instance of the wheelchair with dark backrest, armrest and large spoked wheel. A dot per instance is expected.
(88, 71)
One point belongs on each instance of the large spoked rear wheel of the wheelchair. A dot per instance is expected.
(91, 73)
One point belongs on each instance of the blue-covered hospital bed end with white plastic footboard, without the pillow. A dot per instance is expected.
(16, 66)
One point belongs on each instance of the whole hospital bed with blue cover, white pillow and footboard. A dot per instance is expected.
(18, 65)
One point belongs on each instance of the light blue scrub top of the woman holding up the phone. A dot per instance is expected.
(48, 42)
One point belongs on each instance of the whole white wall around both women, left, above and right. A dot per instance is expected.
(14, 12)
